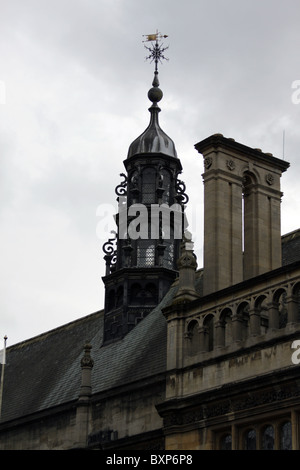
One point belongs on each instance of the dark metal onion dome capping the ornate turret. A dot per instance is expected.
(153, 140)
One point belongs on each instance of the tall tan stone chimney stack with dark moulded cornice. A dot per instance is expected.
(242, 231)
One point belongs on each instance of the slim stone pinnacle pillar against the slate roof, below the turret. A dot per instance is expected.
(83, 403)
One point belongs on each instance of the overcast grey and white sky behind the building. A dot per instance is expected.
(73, 96)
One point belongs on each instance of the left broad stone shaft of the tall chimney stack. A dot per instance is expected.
(223, 258)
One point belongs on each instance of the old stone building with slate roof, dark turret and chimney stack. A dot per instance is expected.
(181, 357)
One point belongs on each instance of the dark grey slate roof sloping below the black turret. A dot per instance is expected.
(45, 371)
